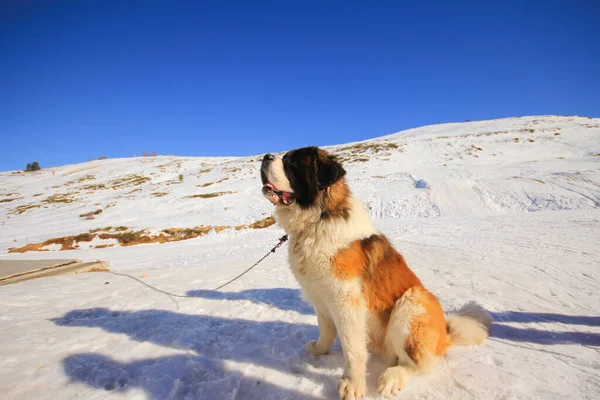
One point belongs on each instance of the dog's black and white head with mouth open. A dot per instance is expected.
(299, 177)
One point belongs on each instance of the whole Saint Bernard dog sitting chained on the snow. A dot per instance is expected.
(359, 285)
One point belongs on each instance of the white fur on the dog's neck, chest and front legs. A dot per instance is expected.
(339, 305)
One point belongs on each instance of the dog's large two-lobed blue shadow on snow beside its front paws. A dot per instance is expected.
(212, 341)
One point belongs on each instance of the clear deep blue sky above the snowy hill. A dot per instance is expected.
(83, 78)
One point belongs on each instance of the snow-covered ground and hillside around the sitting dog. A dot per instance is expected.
(506, 212)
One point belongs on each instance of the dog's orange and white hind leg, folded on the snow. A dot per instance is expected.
(413, 338)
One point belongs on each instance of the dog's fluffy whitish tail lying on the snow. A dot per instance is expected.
(468, 326)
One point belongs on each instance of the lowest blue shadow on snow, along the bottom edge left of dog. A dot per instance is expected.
(173, 377)
